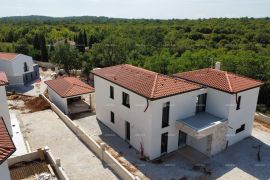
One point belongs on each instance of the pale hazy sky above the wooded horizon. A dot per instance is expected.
(161, 9)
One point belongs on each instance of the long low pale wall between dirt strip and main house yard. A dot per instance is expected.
(101, 153)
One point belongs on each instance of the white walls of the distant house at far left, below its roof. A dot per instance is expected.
(15, 71)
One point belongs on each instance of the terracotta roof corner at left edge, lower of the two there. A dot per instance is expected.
(7, 147)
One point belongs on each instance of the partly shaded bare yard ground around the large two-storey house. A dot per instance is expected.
(239, 160)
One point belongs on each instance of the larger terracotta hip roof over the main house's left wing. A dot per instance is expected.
(143, 82)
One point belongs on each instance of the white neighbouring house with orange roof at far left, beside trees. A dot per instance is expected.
(19, 68)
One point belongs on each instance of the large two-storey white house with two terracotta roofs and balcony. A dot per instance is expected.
(158, 114)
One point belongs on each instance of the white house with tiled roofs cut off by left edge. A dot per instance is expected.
(7, 147)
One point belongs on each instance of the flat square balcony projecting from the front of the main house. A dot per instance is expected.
(200, 125)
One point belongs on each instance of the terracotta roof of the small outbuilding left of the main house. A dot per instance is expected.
(69, 86)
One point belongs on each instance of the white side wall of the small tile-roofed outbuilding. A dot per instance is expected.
(60, 102)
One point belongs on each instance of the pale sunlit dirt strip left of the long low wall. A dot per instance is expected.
(44, 128)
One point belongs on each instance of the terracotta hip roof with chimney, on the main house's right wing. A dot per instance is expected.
(221, 80)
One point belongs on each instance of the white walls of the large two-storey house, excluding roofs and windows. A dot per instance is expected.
(146, 127)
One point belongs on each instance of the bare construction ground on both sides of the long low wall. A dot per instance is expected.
(44, 128)
